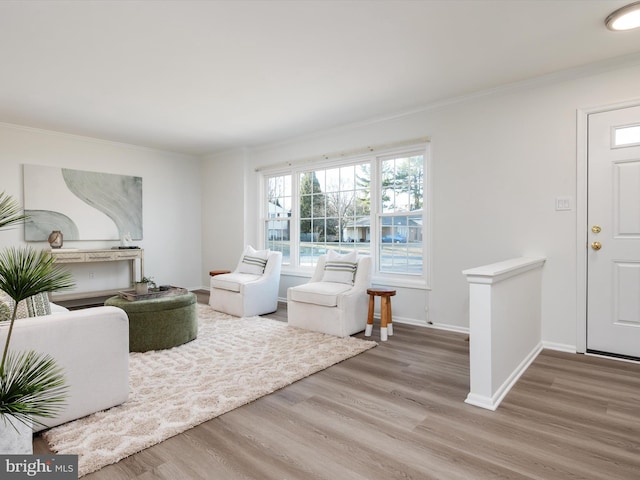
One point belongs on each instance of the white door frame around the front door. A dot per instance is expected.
(582, 197)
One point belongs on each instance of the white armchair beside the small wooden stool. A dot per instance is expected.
(331, 307)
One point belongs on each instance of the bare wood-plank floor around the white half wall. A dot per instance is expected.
(397, 411)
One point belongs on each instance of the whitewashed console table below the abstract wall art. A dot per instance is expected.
(99, 255)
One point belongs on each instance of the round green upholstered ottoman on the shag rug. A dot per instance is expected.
(159, 323)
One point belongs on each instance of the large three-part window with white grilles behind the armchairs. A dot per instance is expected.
(373, 204)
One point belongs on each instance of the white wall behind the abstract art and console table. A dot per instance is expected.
(171, 199)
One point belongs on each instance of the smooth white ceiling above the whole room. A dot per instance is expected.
(206, 76)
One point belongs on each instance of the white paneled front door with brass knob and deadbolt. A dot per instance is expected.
(613, 265)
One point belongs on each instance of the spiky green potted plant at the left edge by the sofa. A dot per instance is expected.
(31, 384)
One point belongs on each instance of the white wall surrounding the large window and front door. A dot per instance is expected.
(498, 162)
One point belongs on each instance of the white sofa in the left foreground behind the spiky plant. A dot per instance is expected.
(92, 347)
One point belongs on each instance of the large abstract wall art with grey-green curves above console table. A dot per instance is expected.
(82, 205)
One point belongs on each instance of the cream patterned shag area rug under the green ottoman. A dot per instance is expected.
(232, 362)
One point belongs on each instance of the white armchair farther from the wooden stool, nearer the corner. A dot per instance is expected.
(248, 290)
